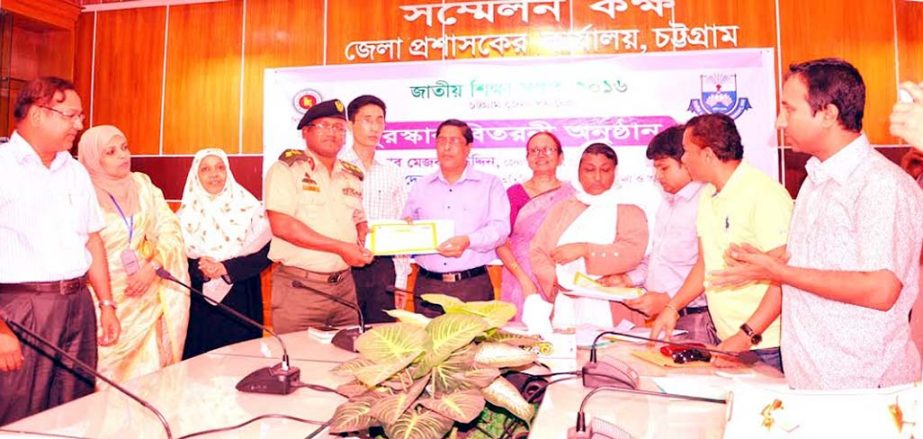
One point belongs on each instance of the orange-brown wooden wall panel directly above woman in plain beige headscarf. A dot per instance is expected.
(129, 74)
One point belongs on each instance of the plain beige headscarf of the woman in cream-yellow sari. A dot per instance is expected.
(123, 189)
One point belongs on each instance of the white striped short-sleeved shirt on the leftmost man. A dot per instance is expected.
(46, 215)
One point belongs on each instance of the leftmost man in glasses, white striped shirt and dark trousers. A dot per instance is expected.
(49, 249)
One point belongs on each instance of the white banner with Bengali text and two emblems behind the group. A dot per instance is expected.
(622, 100)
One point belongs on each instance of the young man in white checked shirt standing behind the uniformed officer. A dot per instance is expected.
(384, 193)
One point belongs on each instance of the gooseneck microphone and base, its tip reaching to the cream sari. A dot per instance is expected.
(280, 379)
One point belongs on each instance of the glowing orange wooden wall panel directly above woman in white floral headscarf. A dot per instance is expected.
(202, 101)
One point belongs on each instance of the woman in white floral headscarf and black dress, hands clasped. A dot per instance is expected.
(227, 243)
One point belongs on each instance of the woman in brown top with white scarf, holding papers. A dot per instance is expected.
(591, 233)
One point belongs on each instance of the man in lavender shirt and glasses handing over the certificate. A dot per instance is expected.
(478, 205)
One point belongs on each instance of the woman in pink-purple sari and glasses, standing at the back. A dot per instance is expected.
(530, 203)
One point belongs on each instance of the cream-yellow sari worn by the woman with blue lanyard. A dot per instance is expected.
(154, 323)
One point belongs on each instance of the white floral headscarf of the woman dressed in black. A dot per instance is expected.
(229, 224)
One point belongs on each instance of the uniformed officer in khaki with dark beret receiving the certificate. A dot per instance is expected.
(314, 205)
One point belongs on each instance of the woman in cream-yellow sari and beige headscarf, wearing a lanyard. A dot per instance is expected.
(141, 235)
